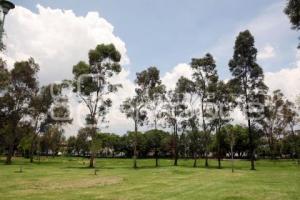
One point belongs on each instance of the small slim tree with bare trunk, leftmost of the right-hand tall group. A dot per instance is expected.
(135, 109)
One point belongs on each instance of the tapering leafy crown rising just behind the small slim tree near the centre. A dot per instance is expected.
(149, 81)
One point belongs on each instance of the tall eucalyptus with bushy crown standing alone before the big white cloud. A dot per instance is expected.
(92, 82)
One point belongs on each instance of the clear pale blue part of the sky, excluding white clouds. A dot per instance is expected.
(165, 33)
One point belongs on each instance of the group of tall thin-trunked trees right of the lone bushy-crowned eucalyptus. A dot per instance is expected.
(203, 104)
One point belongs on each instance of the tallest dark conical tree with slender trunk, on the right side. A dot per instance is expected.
(248, 82)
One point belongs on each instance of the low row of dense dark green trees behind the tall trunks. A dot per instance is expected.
(231, 142)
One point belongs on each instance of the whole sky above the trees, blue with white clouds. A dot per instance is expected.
(166, 34)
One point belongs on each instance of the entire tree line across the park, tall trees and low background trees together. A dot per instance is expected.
(198, 110)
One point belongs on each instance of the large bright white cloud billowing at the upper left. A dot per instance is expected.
(57, 39)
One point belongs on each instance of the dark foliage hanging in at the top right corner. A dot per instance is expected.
(292, 10)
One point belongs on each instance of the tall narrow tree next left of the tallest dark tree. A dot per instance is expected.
(205, 78)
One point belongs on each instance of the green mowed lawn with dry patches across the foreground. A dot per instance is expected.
(69, 178)
